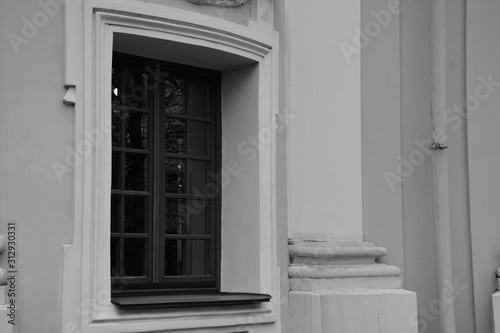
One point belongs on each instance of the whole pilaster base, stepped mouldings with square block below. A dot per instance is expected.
(340, 288)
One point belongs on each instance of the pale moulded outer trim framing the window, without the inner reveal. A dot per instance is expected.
(83, 259)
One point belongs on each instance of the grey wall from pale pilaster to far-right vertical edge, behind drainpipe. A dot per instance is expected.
(396, 92)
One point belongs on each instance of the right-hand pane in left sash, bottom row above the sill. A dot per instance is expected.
(134, 257)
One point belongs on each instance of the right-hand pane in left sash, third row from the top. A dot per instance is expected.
(136, 172)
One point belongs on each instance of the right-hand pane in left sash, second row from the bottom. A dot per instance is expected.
(136, 214)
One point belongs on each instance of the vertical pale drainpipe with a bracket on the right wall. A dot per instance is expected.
(440, 167)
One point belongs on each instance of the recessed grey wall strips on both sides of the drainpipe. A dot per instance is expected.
(419, 254)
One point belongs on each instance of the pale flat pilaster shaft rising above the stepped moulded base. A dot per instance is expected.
(325, 135)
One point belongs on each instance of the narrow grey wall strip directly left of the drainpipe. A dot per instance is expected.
(420, 275)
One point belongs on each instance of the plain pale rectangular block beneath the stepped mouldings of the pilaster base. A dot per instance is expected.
(354, 311)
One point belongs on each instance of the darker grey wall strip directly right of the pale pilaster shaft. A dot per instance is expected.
(381, 124)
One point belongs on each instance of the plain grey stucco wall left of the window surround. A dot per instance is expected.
(35, 130)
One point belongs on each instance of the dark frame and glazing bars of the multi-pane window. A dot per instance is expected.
(157, 284)
